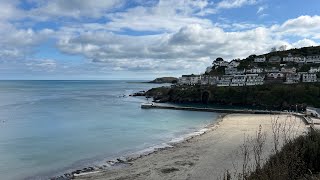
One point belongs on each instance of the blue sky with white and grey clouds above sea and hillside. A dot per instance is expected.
(144, 39)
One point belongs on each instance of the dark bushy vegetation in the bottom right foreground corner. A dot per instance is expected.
(298, 159)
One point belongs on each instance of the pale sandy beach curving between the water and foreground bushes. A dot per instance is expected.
(206, 156)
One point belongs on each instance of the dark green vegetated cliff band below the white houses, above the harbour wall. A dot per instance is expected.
(271, 96)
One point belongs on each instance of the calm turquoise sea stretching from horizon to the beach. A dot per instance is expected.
(49, 127)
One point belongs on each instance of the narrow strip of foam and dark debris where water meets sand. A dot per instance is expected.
(126, 159)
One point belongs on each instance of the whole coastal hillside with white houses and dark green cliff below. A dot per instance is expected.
(286, 80)
